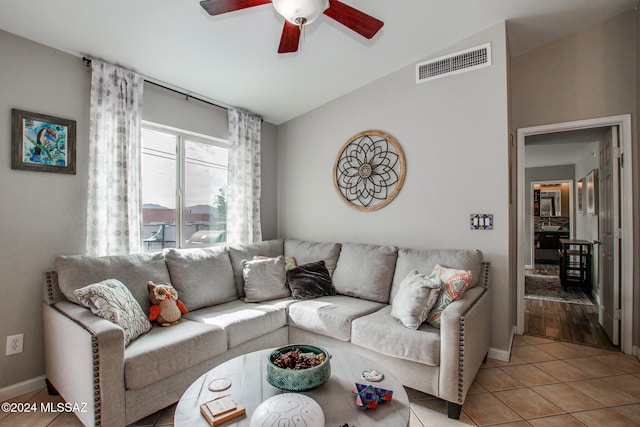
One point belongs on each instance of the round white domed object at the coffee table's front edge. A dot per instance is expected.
(288, 409)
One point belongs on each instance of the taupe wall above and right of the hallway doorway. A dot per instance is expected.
(590, 74)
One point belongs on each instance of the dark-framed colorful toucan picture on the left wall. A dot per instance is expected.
(42, 143)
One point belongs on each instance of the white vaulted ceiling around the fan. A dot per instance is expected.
(232, 58)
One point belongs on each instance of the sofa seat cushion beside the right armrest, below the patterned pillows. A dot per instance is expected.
(381, 333)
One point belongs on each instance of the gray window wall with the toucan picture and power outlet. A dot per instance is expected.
(43, 214)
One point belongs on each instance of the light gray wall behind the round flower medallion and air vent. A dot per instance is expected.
(454, 134)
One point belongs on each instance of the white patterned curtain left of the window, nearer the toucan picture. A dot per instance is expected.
(114, 219)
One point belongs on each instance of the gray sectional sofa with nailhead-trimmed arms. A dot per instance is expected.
(87, 361)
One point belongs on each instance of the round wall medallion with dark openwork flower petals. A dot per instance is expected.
(369, 170)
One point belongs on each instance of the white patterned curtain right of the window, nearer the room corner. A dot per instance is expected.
(244, 180)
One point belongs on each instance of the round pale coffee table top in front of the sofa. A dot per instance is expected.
(250, 387)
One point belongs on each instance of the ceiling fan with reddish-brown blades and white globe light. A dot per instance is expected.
(298, 13)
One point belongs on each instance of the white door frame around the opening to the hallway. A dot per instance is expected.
(626, 222)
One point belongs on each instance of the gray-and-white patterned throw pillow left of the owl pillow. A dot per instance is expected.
(112, 300)
